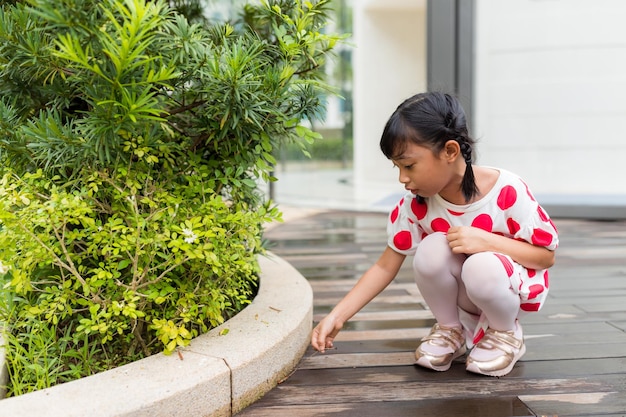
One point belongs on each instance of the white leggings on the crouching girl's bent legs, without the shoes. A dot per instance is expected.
(477, 284)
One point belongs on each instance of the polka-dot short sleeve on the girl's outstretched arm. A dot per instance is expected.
(403, 233)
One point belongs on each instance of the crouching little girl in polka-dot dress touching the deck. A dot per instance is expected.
(481, 243)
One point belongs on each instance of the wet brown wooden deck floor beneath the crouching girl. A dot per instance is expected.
(575, 363)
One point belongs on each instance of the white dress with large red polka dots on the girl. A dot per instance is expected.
(509, 209)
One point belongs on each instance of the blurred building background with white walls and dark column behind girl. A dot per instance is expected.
(543, 83)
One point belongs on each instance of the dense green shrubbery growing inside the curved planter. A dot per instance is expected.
(131, 145)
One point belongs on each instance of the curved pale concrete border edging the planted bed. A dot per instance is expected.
(218, 375)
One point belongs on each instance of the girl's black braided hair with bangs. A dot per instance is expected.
(431, 119)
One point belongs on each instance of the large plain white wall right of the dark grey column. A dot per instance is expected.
(550, 93)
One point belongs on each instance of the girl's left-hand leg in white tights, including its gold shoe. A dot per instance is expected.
(437, 274)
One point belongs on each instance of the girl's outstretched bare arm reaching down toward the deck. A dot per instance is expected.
(372, 283)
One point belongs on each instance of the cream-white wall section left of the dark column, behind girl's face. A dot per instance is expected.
(389, 66)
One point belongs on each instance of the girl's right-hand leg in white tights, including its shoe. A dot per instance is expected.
(486, 277)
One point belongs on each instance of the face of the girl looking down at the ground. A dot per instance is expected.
(424, 173)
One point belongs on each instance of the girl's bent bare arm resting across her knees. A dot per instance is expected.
(470, 240)
